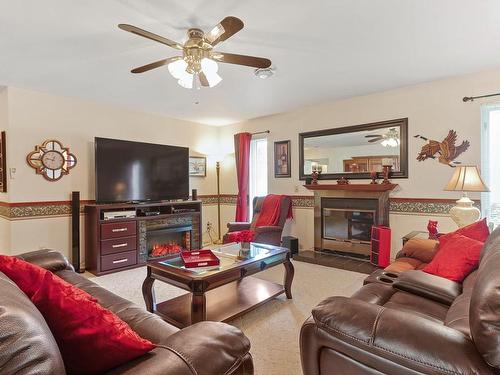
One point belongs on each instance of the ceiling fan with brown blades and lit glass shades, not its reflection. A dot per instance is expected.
(198, 63)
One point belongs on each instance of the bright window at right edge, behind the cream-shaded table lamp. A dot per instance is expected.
(490, 162)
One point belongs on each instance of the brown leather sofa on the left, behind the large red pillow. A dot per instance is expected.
(28, 347)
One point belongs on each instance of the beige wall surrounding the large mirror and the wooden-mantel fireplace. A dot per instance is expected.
(432, 108)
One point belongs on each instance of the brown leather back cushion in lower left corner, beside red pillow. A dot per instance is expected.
(26, 343)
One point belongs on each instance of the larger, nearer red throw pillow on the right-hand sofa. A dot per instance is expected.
(456, 259)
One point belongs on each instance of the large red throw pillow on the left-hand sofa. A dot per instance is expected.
(92, 339)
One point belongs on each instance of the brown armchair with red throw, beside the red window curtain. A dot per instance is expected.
(270, 235)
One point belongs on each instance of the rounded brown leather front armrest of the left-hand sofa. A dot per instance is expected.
(205, 348)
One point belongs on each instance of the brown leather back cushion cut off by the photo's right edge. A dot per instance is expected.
(484, 313)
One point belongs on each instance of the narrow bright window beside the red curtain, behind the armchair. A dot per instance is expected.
(258, 169)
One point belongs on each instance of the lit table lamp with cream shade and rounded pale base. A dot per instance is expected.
(465, 178)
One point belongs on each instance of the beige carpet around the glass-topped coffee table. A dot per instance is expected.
(273, 329)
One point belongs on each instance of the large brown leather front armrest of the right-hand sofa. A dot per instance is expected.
(387, 337)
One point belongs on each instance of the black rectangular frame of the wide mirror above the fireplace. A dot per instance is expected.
(402, 123)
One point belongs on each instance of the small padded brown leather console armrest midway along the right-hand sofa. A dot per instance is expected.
(429, 286)
